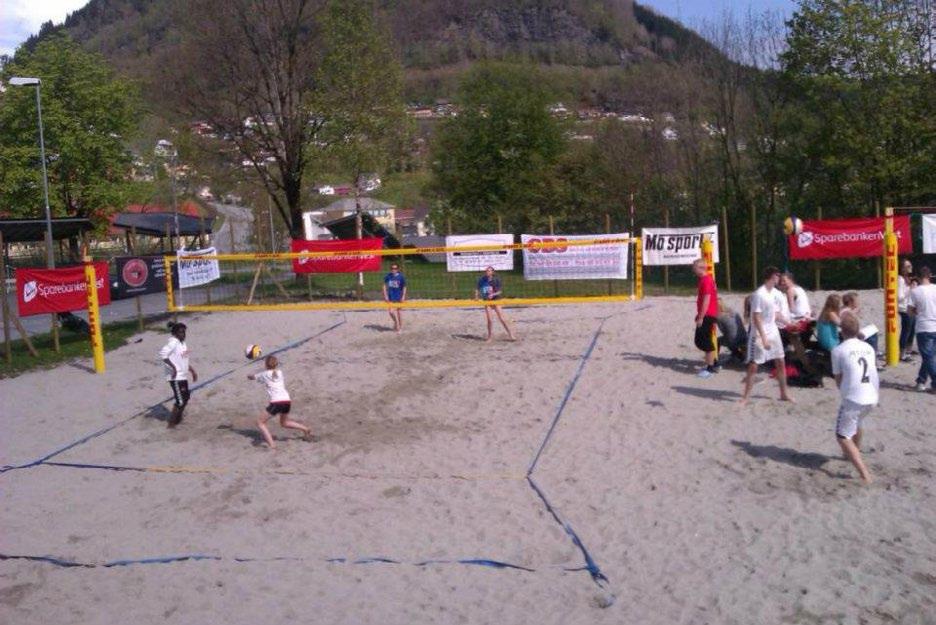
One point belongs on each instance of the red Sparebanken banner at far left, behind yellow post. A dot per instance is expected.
(41, 291)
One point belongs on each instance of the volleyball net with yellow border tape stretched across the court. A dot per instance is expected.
(352, 275)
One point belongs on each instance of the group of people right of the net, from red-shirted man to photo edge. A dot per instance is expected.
(778, 318)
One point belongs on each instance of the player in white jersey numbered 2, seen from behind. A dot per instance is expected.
(853, 365)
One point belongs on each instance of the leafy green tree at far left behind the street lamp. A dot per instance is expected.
(88, 115)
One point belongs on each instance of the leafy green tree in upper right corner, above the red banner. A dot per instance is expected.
(862, 73)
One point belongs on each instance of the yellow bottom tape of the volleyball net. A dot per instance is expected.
(381, 305)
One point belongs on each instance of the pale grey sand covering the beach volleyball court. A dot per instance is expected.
(697, 510)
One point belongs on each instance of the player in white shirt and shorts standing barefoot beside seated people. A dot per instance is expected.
(764, 336)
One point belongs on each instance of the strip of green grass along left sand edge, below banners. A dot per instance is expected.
(73, 346)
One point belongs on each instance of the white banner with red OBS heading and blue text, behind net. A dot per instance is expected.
(575, 262)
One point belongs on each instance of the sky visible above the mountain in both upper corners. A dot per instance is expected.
(21, 18)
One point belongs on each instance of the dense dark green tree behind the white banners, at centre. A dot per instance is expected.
(498, 155)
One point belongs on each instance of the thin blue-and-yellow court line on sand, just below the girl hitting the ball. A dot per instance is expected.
(327, 475)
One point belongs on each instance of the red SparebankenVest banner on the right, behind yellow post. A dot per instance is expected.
(847, 238)
